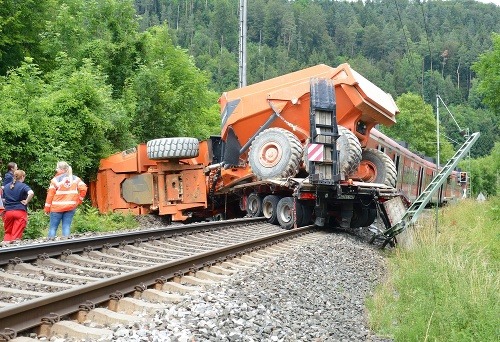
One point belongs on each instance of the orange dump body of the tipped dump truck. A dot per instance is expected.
(360, 104)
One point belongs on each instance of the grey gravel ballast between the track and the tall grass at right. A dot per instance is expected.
(315, 293)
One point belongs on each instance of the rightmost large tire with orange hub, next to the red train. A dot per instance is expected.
(382, 168)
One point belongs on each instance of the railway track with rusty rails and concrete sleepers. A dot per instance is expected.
(46, 288)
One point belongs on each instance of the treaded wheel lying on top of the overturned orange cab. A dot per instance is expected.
(165, 148)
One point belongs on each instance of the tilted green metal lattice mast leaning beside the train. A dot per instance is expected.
(412, 213)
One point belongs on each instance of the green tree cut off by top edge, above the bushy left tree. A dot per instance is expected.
(102, 31)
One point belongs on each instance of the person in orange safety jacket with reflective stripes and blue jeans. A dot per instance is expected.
(66, 192)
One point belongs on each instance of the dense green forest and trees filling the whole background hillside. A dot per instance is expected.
(81, 79)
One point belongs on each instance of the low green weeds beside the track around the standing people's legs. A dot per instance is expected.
(87, 219)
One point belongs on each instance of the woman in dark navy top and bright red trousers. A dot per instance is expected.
(17, 195)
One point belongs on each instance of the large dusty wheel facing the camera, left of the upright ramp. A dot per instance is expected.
(275, 152)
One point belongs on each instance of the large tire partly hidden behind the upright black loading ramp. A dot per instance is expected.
(349, 152)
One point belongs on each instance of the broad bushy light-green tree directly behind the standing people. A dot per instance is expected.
(68, 114)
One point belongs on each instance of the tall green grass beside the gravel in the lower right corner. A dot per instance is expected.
(445, 287)
